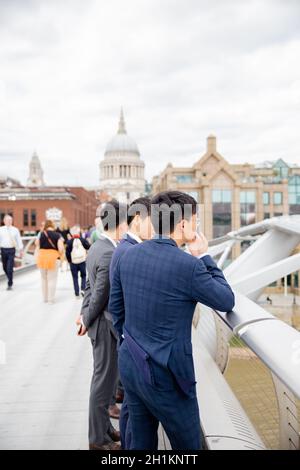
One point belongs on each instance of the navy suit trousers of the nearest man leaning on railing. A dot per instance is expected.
(163, 402)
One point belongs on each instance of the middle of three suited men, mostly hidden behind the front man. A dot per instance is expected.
(140, 229)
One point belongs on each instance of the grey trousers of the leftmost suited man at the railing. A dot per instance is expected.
(105, 375)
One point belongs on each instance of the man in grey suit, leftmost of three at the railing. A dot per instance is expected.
(96, 320)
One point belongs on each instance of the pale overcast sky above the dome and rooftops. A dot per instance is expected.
(182, 69)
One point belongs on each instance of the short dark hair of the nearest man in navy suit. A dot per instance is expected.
(170, 207)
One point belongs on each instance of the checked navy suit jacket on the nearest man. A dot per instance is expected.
(158, 286)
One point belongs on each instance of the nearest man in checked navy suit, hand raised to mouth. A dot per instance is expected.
(155, 289)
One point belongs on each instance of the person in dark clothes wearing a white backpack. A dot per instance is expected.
(76, 255)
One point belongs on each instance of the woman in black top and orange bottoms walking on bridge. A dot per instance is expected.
(51, 248)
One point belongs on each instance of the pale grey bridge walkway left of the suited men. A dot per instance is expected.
(44, 384)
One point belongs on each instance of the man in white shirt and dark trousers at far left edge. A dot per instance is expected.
(10, 241)
